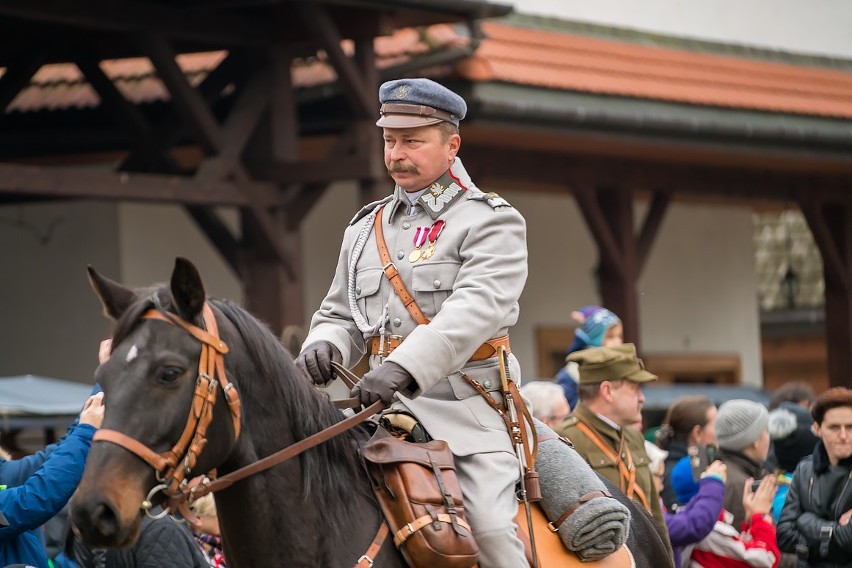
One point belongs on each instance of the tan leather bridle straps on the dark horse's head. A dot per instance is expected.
(175, 465)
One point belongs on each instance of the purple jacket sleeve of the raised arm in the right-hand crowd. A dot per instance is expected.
(694, 521)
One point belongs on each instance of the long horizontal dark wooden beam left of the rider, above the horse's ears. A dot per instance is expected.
(82, 183)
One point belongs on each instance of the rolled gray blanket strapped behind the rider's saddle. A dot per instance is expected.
(596, 528)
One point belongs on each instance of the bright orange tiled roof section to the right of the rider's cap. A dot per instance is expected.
(571, 62)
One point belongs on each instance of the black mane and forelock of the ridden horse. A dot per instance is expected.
(329, 469)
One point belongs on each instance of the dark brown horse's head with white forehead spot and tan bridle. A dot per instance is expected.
(161, 370)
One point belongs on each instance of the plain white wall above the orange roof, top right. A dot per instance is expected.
(819, 27)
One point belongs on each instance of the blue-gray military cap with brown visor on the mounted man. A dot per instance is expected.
(408, 103)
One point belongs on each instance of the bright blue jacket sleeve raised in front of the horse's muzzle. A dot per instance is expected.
(46, 491)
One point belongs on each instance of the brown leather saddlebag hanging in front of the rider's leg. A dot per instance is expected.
(420, 496)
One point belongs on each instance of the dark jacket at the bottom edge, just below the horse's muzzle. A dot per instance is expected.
(162, 542)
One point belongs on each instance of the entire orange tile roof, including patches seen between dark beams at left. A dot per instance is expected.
(522, 56)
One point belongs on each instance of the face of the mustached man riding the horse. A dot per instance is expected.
(415, 157)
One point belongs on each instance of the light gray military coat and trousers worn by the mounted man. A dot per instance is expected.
(469, 290)
